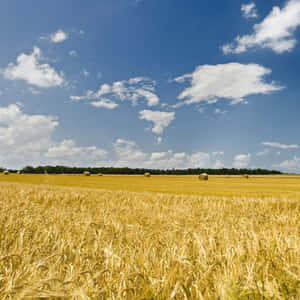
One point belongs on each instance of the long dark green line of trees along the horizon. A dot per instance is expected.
(140, 171)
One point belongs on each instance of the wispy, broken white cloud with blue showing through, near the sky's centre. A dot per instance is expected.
(131, 90)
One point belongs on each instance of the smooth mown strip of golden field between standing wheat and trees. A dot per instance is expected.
(216, 185)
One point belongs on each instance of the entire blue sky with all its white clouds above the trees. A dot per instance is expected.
(150, 83)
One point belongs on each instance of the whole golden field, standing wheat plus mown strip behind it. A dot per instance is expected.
(130, 237)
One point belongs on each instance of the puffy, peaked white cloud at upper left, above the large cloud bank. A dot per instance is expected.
(30, 69)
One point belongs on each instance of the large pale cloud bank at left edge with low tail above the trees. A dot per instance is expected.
(28, 139)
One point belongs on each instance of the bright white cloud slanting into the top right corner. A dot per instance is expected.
(276, 31)
